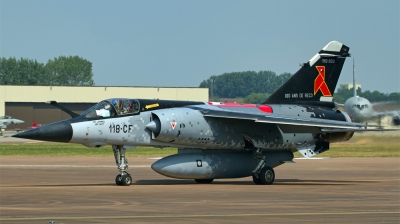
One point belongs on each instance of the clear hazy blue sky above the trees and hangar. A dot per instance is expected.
(181, 43)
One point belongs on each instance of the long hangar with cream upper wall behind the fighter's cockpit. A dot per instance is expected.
(28, 102)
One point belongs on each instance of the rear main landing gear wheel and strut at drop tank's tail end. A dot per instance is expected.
(262, 174)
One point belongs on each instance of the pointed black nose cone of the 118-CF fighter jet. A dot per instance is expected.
(55, 132)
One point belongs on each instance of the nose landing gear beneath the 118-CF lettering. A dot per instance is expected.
(124, 178)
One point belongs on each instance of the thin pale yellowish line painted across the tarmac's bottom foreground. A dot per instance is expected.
(197, 215)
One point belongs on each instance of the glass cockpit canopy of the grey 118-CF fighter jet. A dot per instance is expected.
(113, 108)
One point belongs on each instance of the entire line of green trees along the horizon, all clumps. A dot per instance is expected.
(253, 86)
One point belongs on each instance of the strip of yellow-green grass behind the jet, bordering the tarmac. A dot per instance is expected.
(359, 146)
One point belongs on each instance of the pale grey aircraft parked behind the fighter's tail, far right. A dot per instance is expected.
(361, 110)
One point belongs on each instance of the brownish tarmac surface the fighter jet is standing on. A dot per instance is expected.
(82, 190)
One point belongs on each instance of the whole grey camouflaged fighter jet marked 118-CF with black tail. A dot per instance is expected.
(219, 140)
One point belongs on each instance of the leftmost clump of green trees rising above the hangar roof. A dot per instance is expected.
(61, 71)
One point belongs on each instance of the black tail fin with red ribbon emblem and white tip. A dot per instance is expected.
(316, 80)
